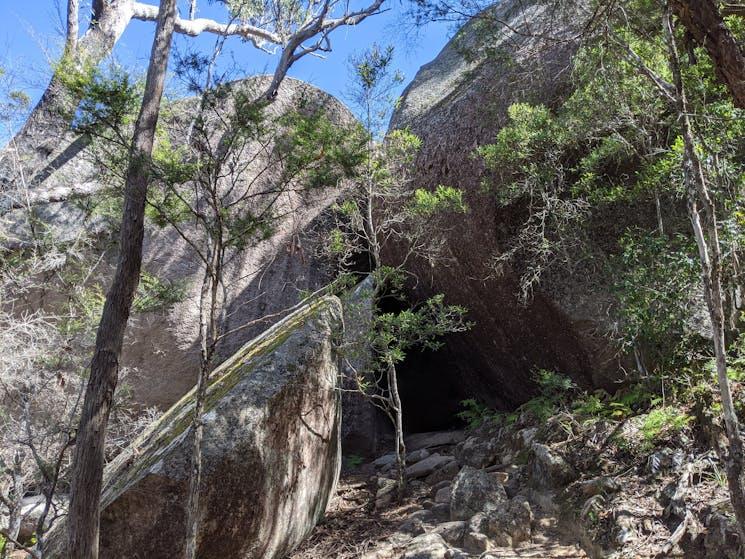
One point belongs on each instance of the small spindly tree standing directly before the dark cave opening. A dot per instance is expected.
(384, 215)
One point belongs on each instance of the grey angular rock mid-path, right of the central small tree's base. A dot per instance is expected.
(475, 491)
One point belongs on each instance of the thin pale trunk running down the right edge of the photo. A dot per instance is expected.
(707, 239)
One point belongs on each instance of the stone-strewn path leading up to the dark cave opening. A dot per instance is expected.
(453, 510)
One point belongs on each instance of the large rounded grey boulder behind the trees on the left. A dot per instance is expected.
(161, 350)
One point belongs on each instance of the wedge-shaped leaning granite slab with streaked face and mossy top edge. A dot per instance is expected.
(271, 452)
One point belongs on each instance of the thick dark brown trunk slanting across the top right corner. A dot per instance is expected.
(704, 21)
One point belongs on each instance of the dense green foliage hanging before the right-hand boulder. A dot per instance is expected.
(612, 147)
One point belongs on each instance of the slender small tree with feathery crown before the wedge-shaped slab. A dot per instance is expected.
(224, 192)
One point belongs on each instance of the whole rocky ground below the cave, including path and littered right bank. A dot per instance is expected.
(535, 489)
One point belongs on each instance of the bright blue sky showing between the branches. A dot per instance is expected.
(30, 37)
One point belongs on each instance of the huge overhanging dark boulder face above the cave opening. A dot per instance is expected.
(456, 103)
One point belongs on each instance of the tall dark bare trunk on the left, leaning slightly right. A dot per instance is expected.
(83, 522)
